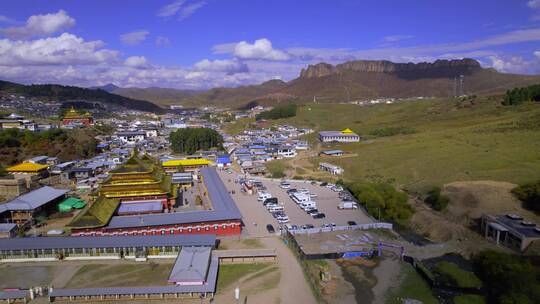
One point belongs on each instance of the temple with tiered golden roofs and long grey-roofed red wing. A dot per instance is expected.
(139, 199)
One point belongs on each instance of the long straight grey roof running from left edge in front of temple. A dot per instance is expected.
(106, 241)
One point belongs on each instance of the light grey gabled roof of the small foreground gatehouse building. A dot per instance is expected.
(191, 265)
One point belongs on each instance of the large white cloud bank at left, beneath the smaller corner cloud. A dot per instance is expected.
(65, 49)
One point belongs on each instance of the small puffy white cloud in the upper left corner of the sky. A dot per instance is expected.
(40, 25)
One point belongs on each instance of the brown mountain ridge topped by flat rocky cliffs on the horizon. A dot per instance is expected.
(364, 79)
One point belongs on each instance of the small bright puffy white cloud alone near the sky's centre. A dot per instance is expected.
(260, 49)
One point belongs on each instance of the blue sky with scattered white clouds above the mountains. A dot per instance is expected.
(207, 43)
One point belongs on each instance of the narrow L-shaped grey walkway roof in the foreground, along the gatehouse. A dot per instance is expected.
(209, 287)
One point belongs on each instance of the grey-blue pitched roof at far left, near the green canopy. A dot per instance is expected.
(35, 199)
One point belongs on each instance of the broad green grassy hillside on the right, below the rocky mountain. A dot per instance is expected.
(453, 140)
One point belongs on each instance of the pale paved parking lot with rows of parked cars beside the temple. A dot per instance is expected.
(256, 217)
